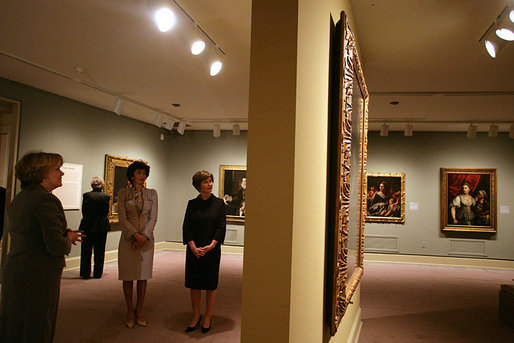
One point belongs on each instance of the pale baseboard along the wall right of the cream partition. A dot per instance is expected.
(439, 260)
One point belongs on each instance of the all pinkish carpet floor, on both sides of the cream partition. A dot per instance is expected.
(400, 303)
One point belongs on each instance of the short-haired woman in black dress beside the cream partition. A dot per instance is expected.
(203, 233)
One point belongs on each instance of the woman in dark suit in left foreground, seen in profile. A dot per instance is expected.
(31, 277)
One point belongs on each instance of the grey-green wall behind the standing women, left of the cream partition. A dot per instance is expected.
(83, 134)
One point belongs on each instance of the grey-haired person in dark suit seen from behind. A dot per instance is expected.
(95, 224)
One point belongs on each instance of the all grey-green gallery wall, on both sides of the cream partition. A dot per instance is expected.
(84, 134)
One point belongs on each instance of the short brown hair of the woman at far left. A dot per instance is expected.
(32, 167)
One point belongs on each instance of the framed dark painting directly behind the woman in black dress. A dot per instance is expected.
(233, 191)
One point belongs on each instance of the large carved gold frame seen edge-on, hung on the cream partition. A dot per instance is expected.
(344, 67)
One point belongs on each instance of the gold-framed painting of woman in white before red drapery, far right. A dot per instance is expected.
(468, 200)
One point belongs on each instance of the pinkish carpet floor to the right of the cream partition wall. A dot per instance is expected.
(421, 303)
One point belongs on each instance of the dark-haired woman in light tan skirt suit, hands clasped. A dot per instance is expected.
(137, 211)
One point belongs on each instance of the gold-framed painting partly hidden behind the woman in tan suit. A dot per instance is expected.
(115, 177)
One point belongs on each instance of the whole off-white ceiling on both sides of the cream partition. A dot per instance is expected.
(425, 54)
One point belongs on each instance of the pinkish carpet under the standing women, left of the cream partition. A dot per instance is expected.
(94, 310)
